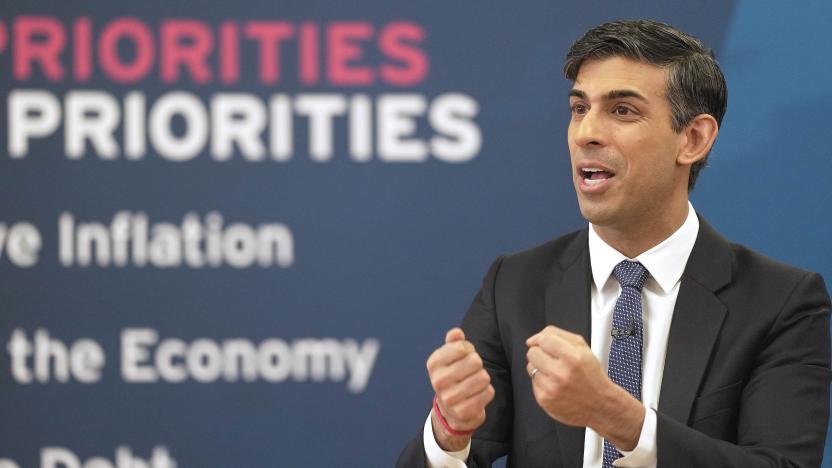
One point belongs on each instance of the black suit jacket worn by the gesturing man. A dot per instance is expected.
(747, 371)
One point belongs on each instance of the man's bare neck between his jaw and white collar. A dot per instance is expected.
(634, 239)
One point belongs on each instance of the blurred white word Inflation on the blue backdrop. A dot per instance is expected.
(130, 239)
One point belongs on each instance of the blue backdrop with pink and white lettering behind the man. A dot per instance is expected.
(334, 273)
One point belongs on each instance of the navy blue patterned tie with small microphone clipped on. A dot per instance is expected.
(627, 328)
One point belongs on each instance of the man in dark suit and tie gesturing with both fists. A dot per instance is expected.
(646, 339)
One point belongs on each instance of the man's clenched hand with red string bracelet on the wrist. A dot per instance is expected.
(463, 389)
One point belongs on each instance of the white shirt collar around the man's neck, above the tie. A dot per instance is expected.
(665, 261)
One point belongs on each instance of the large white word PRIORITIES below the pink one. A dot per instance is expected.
(178, 126)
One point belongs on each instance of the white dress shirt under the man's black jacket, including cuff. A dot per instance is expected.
(666, 263)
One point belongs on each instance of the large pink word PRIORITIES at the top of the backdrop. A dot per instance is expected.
(338, 53)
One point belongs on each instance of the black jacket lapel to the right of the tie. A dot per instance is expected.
(697, 320)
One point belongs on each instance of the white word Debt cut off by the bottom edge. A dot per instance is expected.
(60, 457)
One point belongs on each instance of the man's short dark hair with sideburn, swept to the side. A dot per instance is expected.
(695, 83)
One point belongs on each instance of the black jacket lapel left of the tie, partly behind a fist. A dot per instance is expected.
(567, 306)
